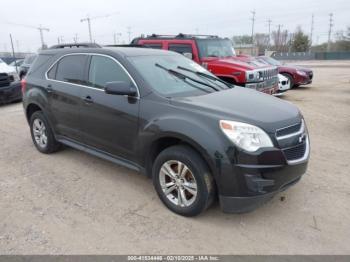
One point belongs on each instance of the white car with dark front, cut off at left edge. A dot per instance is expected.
(10, 87)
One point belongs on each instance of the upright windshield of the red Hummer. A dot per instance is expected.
(215, 48)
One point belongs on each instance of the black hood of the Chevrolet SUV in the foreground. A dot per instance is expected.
(245, 105)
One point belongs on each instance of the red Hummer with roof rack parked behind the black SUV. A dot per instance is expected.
(218, 56)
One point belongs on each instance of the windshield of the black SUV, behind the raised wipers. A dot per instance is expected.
(153, 70)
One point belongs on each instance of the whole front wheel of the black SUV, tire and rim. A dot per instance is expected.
(197, 189)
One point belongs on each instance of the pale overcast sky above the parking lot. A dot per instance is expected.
(220, 17)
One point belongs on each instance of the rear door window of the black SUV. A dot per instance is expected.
(71, 69)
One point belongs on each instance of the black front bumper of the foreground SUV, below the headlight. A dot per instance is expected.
(249, 180)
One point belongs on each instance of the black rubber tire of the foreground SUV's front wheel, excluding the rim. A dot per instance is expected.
(199, 170)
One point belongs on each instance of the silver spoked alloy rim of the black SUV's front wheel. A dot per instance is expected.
(178, 183)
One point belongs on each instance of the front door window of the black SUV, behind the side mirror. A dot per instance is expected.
(103, 70)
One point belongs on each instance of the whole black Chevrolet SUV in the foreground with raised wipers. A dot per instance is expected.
(161, 114)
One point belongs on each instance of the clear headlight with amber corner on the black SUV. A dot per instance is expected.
(247, 137)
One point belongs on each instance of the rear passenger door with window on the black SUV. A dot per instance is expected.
(65, 84)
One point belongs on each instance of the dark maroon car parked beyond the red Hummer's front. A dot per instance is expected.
(297, 75)
